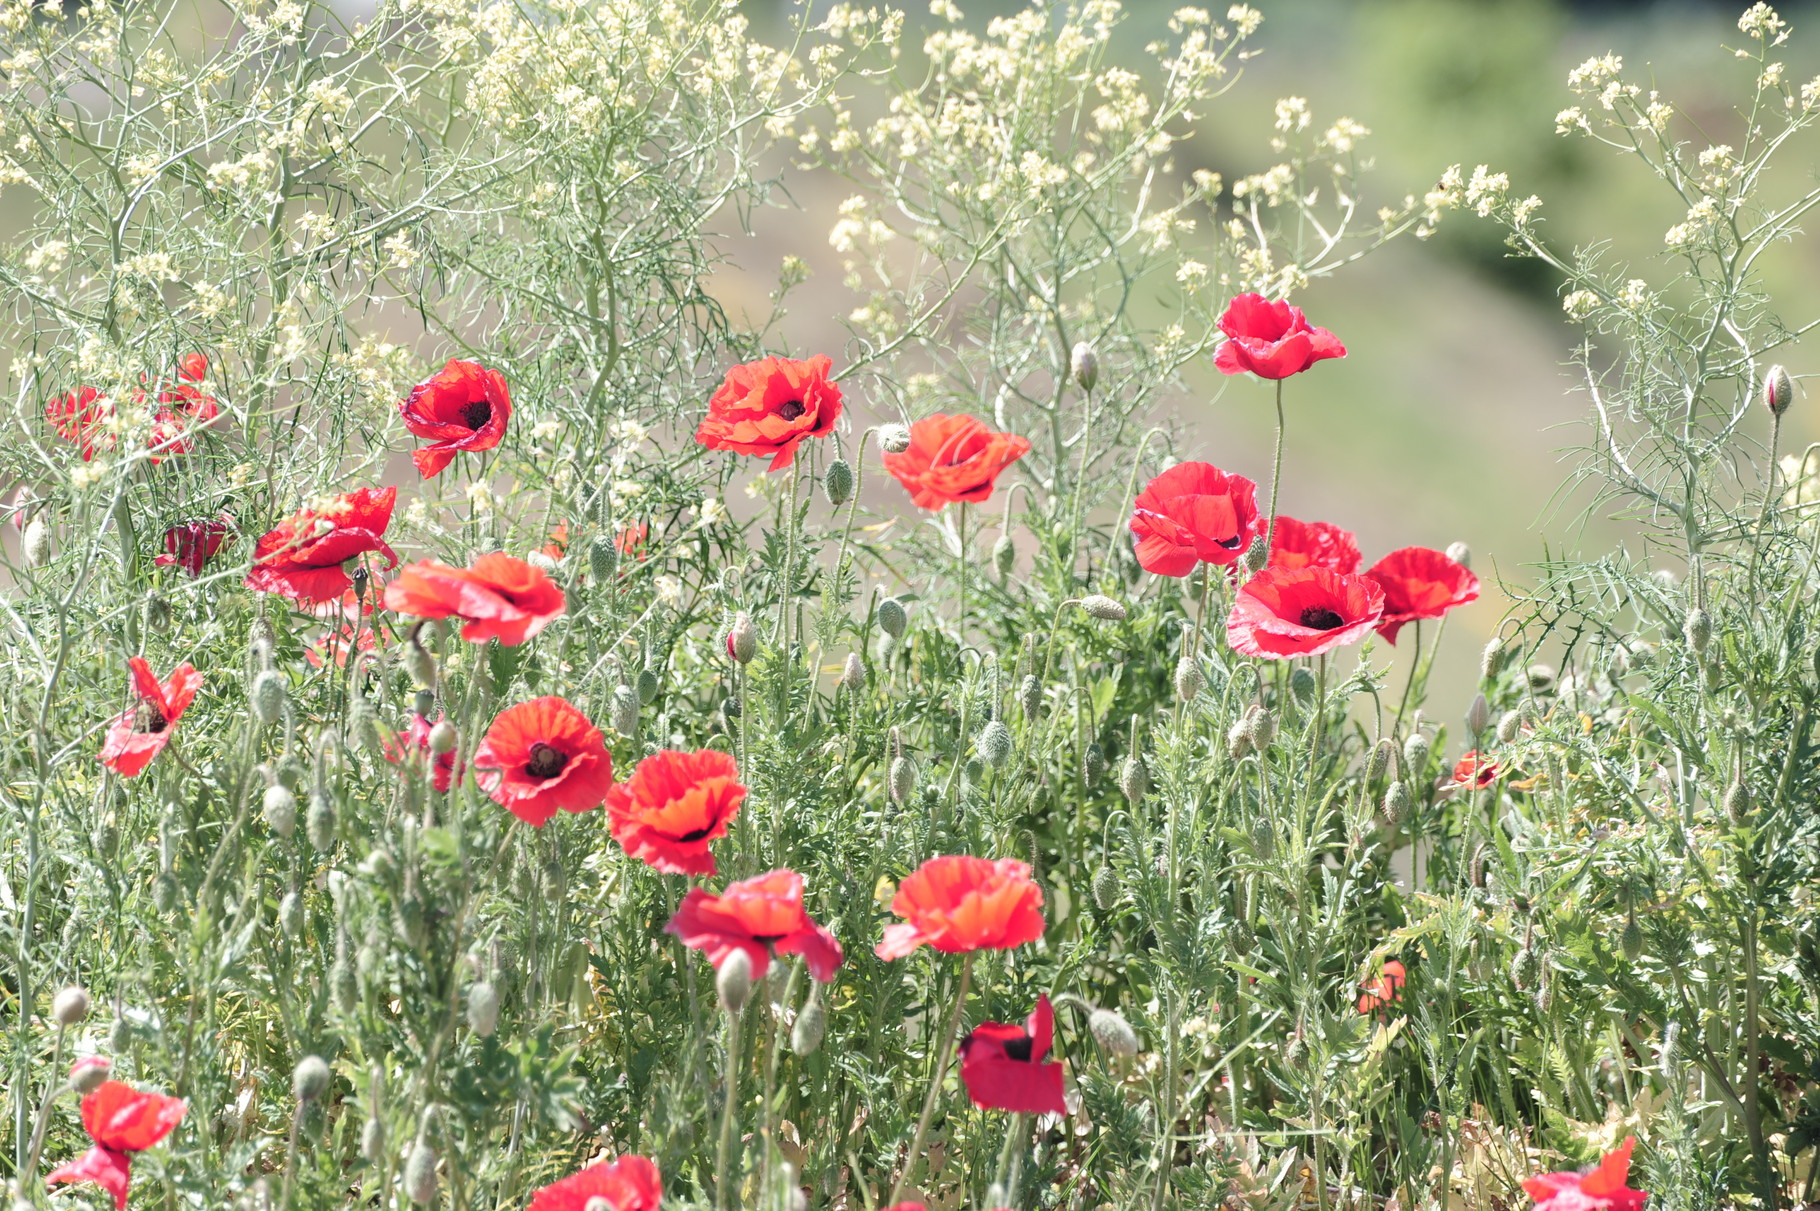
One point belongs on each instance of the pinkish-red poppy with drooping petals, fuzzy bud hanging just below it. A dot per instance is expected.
(762, 917)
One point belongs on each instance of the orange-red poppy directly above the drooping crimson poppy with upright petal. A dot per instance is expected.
(962, 904)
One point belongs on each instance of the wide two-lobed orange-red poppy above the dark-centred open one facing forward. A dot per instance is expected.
(496, 596)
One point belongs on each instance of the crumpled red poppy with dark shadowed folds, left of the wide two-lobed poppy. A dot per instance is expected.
(303, 558)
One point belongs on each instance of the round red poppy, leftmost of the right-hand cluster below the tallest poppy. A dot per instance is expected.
(1195, 514)
